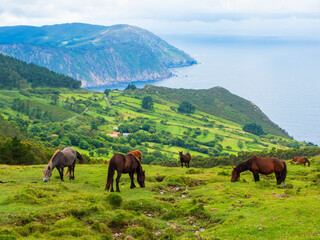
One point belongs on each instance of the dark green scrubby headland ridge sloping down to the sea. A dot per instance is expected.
(219, 102)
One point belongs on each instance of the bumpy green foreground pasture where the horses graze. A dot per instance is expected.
(175, 204)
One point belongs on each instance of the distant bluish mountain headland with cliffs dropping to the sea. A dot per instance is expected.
(96, 55)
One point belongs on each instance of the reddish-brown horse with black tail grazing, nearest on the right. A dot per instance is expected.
(265, 166)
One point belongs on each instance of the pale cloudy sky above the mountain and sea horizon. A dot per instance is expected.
(284, 18)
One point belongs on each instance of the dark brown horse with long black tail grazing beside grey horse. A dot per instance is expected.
(125, 164)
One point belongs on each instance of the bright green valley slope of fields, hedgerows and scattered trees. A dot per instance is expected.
(81, 118)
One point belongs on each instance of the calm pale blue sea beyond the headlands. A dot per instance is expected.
(280, 76)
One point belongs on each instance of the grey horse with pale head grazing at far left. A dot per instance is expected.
(60, 159)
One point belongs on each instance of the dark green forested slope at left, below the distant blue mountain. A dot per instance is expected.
(17, 74)
